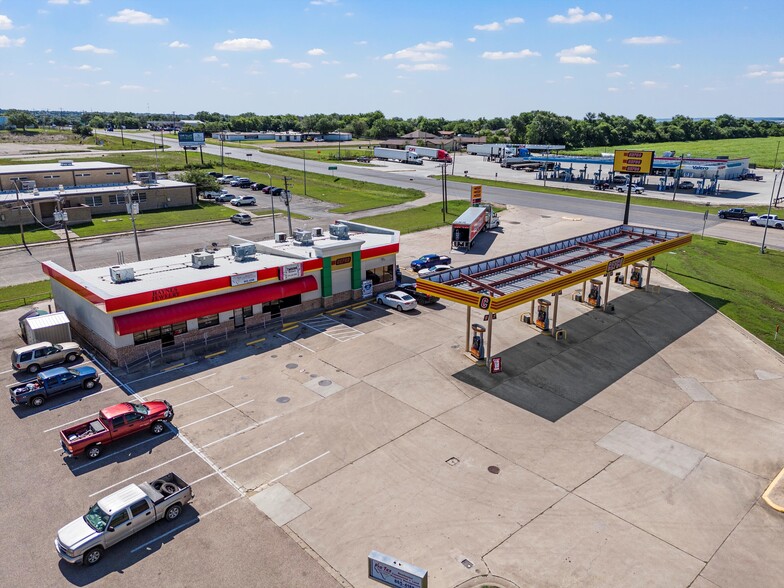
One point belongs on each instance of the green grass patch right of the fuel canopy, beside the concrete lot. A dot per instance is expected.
(734, 279)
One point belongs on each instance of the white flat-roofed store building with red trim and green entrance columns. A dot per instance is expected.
(130, 311)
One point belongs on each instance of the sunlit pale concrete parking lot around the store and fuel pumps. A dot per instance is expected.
(632, 453)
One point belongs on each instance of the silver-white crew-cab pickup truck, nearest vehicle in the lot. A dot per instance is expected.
(120, 515)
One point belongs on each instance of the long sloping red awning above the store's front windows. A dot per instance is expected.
(183, 311)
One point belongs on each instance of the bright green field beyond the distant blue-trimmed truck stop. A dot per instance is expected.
(760, 151)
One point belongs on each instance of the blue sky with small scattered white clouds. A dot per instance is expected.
(457, 59)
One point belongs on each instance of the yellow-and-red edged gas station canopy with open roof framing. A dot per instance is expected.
(504, 282)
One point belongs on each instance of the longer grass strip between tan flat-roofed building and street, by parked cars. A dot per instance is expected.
(154, 219)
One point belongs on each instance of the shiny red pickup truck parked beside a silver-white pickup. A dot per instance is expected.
(115, 422)
